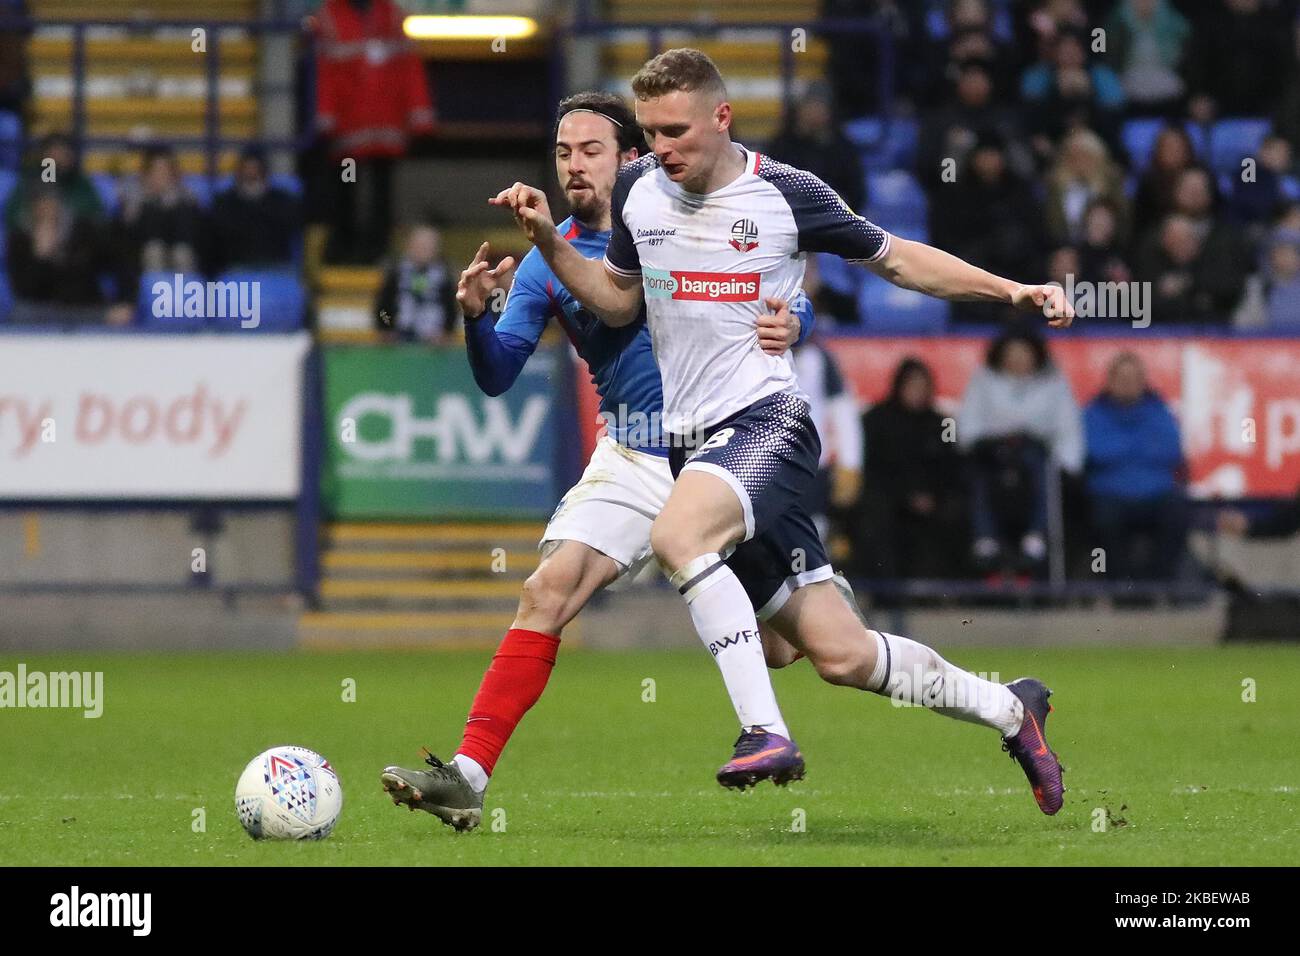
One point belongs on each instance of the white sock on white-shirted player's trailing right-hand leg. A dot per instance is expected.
(912, 673)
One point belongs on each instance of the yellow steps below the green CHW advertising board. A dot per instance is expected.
(419, 586)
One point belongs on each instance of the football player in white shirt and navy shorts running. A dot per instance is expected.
(703, 232)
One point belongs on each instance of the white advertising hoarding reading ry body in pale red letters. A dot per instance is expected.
(158, 417)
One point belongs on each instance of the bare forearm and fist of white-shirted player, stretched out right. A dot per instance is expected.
(934, 272)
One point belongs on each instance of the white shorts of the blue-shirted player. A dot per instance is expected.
(614, 504)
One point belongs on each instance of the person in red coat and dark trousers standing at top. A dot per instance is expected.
(371, 98)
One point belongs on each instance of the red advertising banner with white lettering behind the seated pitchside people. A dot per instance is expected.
(1238, 401)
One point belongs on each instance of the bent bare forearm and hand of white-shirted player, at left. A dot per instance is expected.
(614, 300)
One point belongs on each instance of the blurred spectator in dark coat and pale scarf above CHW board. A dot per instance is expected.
(418, 300)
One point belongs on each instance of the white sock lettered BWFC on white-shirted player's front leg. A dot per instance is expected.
(725, 621)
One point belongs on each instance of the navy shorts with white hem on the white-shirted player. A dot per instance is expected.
(769, 456)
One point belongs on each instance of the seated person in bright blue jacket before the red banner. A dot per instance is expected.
(1133, 466)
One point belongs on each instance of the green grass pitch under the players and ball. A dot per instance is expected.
(1160, 741)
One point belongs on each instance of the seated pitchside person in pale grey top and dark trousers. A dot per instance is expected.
(1019, 419)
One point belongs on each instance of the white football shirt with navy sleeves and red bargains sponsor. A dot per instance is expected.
(708, 262)
